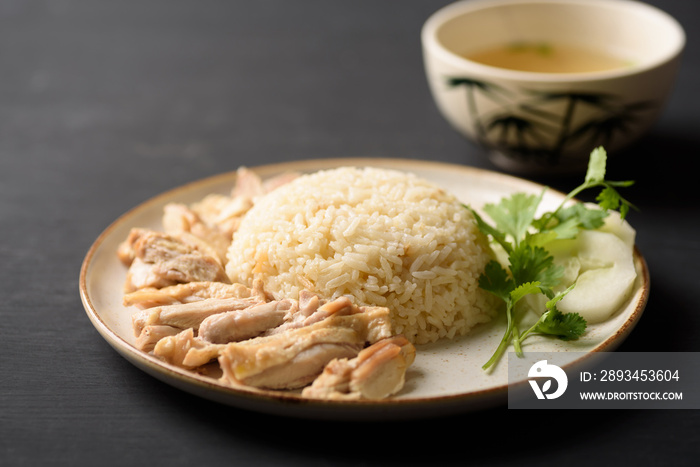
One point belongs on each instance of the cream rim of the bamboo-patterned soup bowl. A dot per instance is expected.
(463, 7)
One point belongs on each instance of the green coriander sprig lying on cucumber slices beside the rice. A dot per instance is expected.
(531, 269)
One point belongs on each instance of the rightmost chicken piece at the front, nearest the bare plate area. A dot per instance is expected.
(377, 372)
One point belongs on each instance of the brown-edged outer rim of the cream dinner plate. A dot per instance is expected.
(162, 370)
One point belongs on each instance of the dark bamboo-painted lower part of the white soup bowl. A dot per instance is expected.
(544, 125)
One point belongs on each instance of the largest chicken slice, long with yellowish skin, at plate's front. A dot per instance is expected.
(294, 358)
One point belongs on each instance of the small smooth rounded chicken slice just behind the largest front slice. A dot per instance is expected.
(239, 325)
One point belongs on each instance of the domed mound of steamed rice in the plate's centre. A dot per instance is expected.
(381, 237)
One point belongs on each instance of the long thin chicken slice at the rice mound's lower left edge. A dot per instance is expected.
(189, 292)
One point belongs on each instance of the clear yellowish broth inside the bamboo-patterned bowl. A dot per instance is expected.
(548, 58)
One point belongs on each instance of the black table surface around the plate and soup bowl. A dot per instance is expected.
(106, 104)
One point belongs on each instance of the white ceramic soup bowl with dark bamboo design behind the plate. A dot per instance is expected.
(534, 122)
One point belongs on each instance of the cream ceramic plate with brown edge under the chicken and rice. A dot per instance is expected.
(446, 376)
